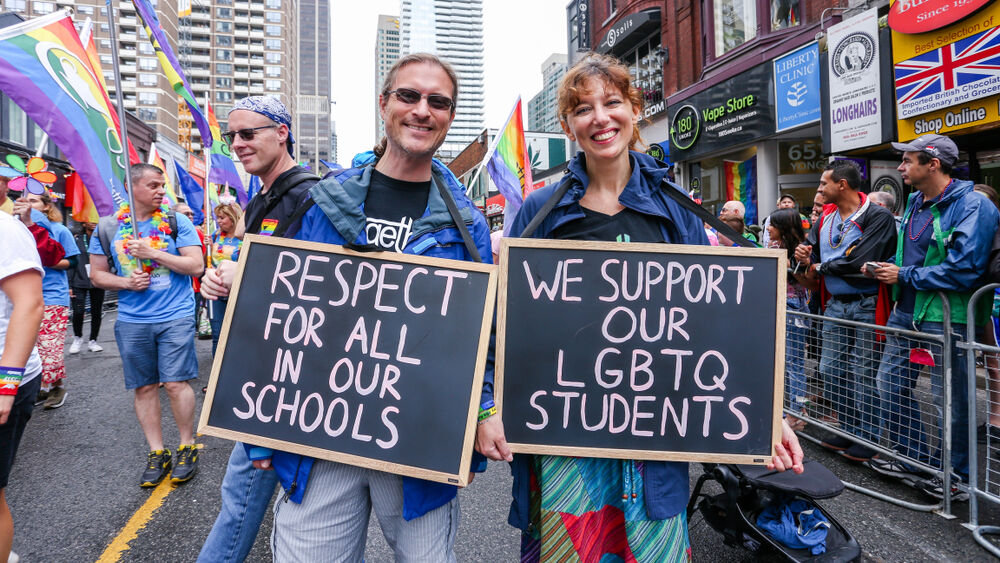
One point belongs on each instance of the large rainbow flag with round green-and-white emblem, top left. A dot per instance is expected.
(45, 70)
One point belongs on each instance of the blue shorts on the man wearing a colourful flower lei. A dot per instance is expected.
(153, 353)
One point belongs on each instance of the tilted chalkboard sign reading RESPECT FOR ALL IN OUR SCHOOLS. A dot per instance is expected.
(372, 359)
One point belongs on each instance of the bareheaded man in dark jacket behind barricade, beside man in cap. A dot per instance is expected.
(850, 232)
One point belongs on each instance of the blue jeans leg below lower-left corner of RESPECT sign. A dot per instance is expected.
(246, 497)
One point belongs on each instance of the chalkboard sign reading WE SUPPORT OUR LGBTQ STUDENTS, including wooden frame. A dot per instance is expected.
(641, 351)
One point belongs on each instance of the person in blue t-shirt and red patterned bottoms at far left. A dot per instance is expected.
(55, 290)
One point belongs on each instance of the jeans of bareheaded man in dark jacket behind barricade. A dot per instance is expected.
(848, 366)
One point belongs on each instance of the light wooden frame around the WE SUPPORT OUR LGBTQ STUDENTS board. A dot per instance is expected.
(781, 264)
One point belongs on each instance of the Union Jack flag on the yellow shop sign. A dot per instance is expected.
(965, 70)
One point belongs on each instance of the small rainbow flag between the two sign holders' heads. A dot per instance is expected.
(508, 162)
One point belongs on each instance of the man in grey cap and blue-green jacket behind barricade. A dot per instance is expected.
(944, 246)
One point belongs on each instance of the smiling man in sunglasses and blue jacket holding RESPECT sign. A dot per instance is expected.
(400, 199)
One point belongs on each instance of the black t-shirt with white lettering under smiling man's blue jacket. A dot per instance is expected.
(391, 207)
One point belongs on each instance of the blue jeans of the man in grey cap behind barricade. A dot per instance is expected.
(897, 377)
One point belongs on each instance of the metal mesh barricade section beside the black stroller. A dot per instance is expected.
(845, 400)
